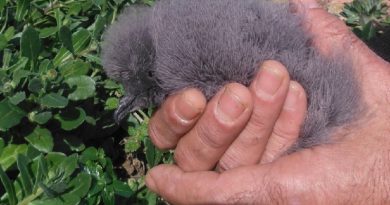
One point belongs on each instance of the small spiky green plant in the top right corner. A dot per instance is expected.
(366, 17)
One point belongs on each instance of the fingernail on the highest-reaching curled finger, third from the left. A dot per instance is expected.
(268, 81)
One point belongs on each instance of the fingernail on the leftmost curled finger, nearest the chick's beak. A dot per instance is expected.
(188, 106)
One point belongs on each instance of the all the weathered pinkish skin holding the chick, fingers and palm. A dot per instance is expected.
(246, 141)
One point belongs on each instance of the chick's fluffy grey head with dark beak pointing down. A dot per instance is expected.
(128, 57)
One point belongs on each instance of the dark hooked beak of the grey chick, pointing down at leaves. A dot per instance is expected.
(129, 104)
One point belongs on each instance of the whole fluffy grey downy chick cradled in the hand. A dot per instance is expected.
(206, 44)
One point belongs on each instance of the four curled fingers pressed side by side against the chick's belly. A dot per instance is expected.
(235, 125)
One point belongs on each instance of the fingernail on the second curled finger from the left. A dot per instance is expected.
(229, 106)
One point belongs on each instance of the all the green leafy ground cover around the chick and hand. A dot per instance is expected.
(58, 141)
